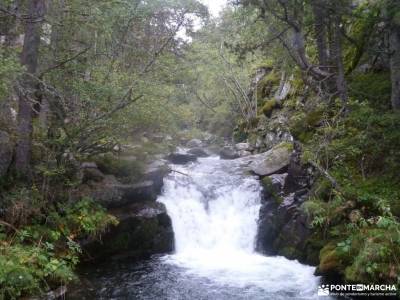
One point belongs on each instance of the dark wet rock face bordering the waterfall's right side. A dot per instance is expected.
(283, 227)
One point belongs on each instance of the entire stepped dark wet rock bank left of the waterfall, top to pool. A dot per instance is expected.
(144, 227)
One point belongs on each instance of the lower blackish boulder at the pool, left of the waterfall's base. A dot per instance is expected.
(144, 229)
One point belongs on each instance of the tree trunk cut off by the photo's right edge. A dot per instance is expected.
(395, 65)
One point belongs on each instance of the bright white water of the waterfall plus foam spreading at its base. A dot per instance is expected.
(214, 211)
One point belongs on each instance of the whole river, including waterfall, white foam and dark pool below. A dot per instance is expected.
(214, 206)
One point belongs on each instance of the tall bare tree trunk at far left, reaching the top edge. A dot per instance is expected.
(29, 58)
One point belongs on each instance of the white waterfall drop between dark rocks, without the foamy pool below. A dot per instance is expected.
(213, 207)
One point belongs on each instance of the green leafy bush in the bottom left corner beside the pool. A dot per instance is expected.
(38, 257)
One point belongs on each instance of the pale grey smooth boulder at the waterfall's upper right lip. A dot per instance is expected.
(273, 161)
